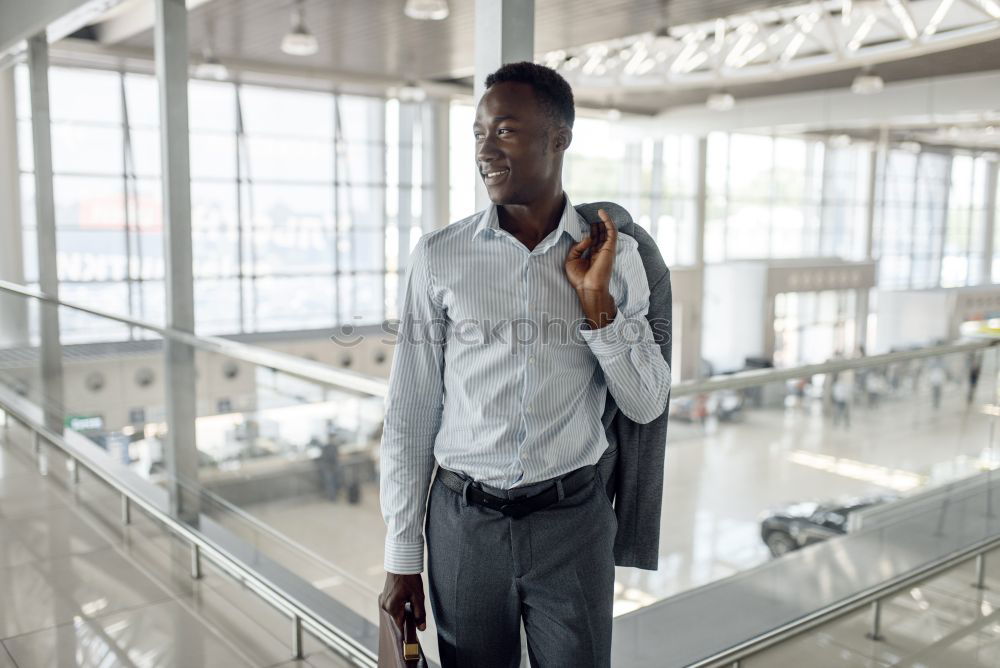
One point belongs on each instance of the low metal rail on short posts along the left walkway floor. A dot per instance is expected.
(301, 613)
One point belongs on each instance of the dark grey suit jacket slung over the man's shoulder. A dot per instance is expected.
(641, 447)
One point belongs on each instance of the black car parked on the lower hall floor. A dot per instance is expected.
(799, 524)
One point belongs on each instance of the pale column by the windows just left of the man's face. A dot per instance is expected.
(437, 164)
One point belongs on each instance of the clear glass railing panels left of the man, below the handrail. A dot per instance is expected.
(270, 441)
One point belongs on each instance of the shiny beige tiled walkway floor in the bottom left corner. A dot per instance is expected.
(80, 590)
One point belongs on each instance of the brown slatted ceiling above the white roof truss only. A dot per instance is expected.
(375, 37)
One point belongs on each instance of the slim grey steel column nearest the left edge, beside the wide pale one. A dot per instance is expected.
(45, 222)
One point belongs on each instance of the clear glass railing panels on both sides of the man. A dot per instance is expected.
(760, 464)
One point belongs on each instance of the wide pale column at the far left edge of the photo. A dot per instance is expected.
(13, 309)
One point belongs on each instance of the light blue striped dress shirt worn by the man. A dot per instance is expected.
(494, 372)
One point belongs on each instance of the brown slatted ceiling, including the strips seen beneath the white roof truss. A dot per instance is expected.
(374, 38)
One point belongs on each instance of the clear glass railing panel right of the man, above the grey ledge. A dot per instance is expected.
(741, 451)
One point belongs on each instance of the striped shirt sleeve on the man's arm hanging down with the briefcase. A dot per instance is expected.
(412, 417)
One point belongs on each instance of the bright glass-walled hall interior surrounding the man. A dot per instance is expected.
(207, 214)
